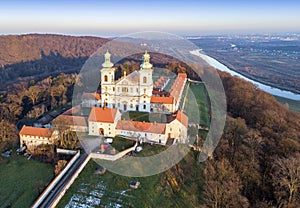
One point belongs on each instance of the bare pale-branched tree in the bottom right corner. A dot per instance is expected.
(286, 180)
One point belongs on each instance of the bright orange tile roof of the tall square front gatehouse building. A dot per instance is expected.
(106, 115)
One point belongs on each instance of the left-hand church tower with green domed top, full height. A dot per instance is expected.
(107, 82)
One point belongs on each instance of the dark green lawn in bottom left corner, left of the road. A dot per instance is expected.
(22, 180)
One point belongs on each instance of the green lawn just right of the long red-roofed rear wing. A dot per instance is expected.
(197, 98)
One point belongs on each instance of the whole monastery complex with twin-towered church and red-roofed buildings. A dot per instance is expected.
(133, 92)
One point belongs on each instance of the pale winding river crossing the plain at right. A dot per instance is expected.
(272, 90)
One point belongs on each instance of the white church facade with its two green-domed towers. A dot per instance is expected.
(129, 93)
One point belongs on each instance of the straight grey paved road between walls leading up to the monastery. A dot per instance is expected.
(65, 179)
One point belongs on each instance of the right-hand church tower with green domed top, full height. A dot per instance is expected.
(146, 83)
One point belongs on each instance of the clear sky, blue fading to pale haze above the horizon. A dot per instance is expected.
(116, 17)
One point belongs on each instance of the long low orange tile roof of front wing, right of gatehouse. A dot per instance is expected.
(157, 128)
